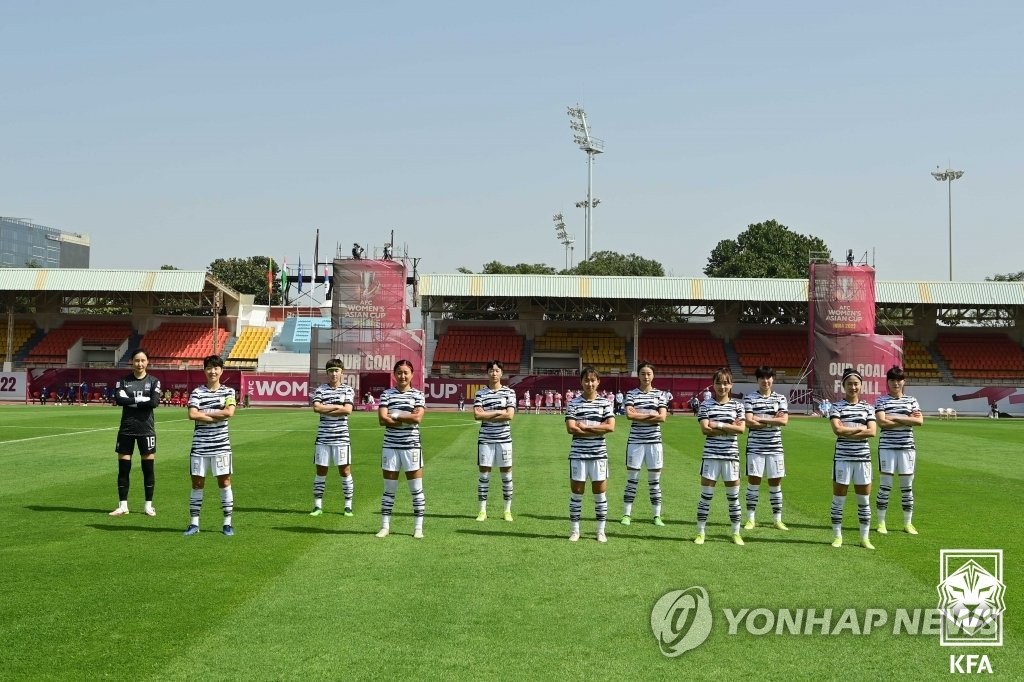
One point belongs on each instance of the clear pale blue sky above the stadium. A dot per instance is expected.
(183, 133)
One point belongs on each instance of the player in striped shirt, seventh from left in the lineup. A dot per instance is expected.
(646, 408)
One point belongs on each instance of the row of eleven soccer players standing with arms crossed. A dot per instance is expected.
(589, 418)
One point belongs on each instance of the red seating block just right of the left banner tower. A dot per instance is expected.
(466, 350)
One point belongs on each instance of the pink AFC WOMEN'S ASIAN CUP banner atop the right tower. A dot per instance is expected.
(842, 300)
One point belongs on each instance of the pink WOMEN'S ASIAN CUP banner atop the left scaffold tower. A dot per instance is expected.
(369, 293)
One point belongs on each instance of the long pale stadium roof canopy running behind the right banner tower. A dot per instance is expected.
(709, 290)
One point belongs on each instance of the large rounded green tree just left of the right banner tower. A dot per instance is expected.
(765, 250)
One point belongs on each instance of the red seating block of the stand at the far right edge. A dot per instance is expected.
(982, 356)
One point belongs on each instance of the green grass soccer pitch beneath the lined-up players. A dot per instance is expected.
(87, 596)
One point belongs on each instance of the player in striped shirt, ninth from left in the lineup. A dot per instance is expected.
(767, 412)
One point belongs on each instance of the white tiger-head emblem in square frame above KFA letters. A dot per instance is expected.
(971, 598)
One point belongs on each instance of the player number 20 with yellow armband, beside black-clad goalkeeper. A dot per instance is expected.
(210, 407)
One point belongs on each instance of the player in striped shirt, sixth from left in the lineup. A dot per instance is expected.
(588, 419)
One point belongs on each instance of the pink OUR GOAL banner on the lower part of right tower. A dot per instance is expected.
(871, 355)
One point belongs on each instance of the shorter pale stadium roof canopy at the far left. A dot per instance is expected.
(88, 288)
